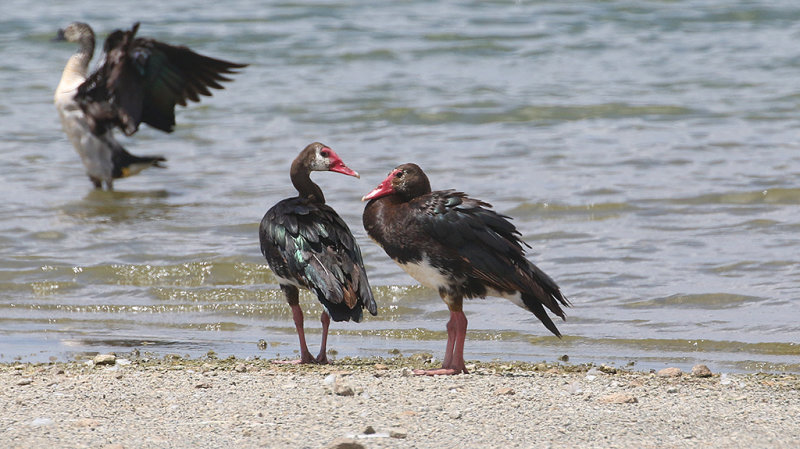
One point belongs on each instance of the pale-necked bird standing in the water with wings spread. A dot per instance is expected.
(140, 80)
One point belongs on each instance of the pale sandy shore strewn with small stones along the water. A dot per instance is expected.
(376, 403)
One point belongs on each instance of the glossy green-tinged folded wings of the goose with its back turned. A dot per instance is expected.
(310, 244)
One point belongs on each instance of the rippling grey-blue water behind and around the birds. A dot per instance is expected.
(648, 151)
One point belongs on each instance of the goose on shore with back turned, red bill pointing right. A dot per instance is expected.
(307, 245)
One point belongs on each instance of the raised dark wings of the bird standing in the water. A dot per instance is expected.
(143, 79)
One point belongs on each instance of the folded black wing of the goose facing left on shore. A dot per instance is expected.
(488, 246)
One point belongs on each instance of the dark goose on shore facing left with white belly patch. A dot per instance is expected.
(460, 248)
